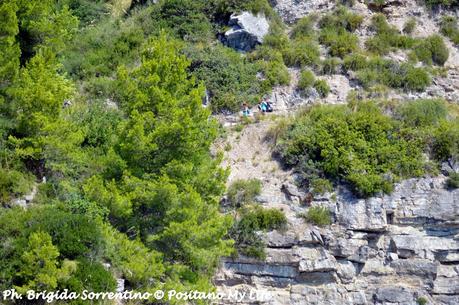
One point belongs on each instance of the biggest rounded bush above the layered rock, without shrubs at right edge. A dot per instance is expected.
(357, 144)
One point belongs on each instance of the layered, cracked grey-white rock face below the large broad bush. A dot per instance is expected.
(388, 250)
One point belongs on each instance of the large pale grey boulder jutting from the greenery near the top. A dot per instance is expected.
(247, 31)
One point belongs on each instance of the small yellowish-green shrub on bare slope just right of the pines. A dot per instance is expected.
(242, 192)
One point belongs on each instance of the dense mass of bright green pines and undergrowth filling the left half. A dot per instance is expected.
(129, 177)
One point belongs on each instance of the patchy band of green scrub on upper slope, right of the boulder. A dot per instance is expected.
(372, 69)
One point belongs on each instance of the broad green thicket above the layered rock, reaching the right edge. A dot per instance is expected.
(370, 150)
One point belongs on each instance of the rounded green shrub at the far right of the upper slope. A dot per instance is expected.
(432, 50)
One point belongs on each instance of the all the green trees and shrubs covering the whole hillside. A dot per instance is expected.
(101, 112)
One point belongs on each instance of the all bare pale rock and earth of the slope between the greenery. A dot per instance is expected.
(401, 248)
